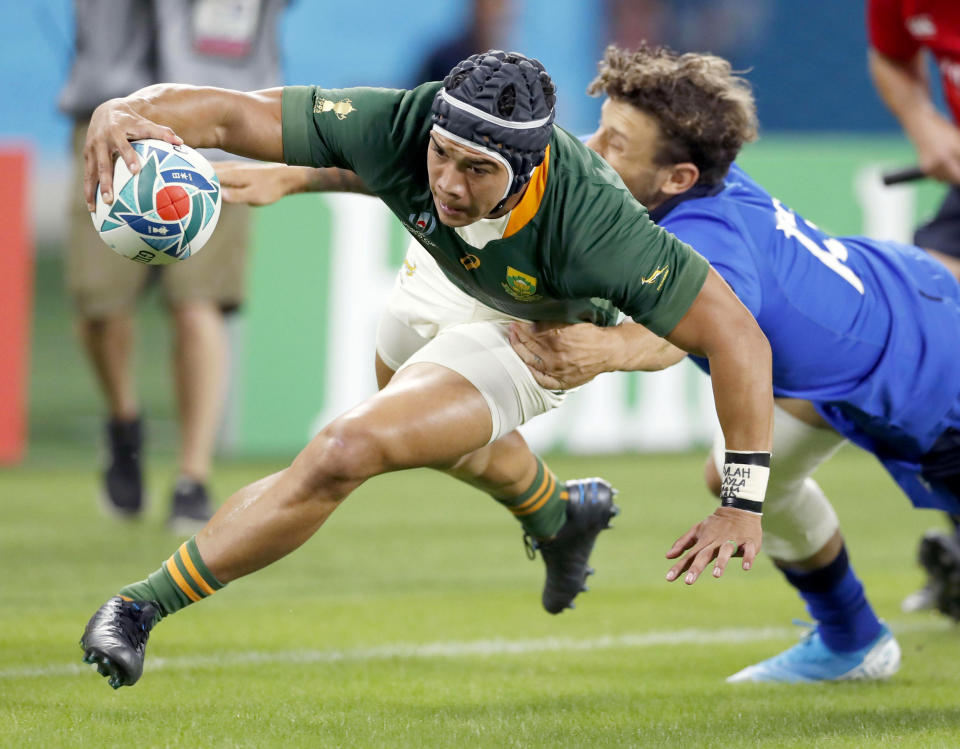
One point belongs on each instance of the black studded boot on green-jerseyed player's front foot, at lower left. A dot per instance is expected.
(116, 639)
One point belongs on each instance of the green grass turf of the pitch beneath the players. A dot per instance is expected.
(321, 649)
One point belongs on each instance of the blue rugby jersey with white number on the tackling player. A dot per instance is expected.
(868, 330)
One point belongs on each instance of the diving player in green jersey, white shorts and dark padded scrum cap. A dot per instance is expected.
(513, 219)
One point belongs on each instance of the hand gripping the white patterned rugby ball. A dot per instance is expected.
(113, 125)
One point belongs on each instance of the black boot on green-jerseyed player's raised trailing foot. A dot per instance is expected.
(589, 510)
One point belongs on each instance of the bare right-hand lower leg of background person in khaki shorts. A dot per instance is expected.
(199, 364)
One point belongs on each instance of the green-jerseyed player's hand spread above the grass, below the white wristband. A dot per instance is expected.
(727, 533)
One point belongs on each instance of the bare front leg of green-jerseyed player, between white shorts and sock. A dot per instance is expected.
(427, 416)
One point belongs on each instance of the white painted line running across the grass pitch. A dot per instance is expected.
(454, 649)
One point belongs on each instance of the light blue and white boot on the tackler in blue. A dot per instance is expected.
(812, 661)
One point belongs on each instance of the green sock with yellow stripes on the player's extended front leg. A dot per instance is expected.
(181, 580)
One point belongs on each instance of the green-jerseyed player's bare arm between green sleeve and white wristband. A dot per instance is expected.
(720, 328)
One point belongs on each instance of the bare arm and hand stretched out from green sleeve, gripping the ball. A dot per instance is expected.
(247, 124)
